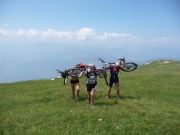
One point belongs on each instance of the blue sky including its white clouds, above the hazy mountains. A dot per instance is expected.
(157, 20)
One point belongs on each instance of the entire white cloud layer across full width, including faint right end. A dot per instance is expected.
(84, 34)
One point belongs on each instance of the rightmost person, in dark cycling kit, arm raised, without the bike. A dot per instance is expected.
(114, 70)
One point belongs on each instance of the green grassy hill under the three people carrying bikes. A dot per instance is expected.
(150, 105)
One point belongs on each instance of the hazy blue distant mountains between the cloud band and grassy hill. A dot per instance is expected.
(40, 61)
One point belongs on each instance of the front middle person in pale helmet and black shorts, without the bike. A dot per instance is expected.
(91, 82)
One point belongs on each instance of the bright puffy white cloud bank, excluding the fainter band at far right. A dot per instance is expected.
(81, 35)
